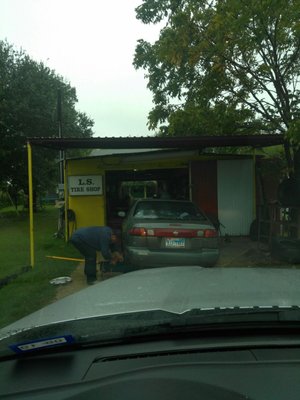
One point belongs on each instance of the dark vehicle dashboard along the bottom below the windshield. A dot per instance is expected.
(213, 368)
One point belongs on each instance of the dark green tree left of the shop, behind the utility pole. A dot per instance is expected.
(28, 108)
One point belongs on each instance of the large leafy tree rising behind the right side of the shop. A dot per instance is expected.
(239, 56)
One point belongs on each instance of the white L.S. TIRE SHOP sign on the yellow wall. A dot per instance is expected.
(85, 185)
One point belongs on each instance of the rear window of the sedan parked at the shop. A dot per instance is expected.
(167, 210)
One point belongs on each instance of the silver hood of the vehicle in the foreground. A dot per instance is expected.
(172, 289)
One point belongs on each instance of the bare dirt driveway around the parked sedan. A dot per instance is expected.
(235, 252)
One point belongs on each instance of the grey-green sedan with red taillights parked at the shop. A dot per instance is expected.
(159, 233)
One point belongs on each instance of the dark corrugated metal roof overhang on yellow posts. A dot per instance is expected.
(148, 142)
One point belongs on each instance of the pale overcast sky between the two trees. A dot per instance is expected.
(91, 44)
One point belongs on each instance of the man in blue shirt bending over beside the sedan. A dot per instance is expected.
(91, 239)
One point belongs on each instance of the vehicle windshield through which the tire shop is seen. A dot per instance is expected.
(150, 168)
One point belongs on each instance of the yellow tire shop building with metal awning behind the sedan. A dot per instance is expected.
(221, 183)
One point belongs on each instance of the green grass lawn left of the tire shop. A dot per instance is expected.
(31, 290)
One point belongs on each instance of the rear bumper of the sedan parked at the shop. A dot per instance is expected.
(139, 257)
